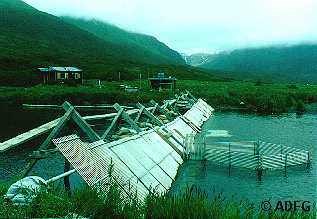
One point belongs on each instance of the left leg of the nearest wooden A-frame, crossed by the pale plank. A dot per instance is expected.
(61, 124)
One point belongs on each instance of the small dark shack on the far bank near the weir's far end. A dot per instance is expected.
(162, 83)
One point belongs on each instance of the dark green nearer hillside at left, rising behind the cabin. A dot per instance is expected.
(30, 39)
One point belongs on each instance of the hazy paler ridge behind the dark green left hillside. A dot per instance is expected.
(149, 45)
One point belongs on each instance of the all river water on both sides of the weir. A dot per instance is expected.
(288, 129)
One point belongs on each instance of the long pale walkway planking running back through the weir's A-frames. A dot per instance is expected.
(31, 134)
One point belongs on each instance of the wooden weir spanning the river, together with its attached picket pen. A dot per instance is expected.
(146, 145)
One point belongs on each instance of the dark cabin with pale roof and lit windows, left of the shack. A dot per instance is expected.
(61, 75)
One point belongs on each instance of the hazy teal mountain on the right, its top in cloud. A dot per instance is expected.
(293, 63)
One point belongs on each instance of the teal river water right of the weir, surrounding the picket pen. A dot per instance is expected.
(300, 183)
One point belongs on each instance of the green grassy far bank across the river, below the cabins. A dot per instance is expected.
(232, 95)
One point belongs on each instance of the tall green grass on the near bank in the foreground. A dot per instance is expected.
(86, 202)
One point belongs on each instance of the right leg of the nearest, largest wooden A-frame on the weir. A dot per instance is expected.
(84, 126)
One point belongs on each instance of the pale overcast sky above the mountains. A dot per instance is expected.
(201, 25)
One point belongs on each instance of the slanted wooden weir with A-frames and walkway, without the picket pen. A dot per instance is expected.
(144, 146)
